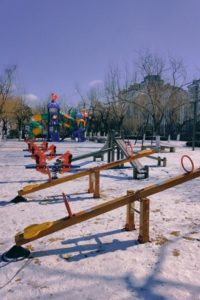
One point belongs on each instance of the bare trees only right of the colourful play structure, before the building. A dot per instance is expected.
(158, 102)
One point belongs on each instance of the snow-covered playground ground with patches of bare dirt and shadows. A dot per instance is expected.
(97, 259)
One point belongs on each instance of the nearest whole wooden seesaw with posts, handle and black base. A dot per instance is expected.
(36, 231)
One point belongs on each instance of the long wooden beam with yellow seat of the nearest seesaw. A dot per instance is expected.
(37, 231)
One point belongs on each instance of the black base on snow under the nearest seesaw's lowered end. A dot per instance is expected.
(15, 253)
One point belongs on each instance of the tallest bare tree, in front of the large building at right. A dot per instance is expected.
(156, 97)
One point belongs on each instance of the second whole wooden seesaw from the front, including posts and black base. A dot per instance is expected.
(94, 177)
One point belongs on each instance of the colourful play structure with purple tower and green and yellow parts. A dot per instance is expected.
(73, 124)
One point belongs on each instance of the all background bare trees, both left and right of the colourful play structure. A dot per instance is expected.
(150, 98)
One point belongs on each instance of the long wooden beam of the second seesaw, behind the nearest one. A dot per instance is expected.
(37, 187)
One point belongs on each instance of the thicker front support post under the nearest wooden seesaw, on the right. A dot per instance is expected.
(144, 221)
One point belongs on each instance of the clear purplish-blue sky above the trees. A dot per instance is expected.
(58, 44)
